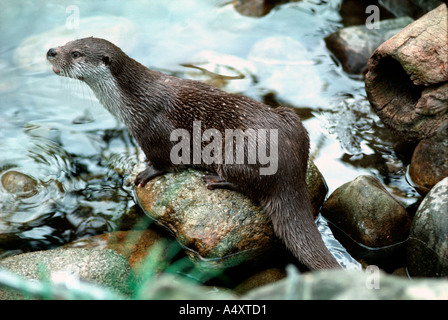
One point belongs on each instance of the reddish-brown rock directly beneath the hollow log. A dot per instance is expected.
(429, 162)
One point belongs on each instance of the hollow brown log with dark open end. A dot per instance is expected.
(407, 78)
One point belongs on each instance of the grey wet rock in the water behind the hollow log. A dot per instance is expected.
(353, 46)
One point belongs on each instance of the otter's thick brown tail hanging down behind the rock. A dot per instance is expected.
(294, 223)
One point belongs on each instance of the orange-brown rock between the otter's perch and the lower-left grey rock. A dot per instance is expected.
(133, 245)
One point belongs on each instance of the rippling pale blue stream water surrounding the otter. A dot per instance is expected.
(55, 131)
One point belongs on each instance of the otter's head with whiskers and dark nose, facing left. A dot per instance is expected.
(84, 59)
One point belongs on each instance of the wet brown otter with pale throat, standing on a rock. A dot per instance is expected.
(152, 104)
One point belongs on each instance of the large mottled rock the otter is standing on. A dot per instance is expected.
(221, 227)
